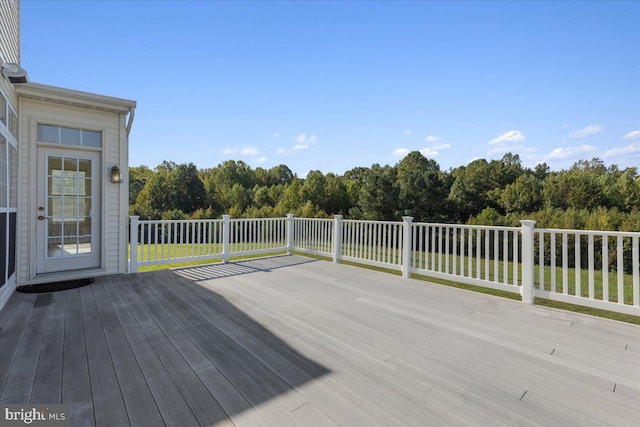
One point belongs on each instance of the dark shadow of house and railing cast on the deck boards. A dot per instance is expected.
(150, 349)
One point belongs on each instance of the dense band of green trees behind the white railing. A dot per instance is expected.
(589, 195)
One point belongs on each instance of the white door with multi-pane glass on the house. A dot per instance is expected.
(68, 210)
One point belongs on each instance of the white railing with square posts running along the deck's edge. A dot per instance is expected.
(599, 269)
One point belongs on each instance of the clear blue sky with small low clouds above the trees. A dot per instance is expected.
(334, 85)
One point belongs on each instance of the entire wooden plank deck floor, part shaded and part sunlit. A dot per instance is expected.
(289, 341)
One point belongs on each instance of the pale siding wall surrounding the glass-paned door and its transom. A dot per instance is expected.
(114, 149)
